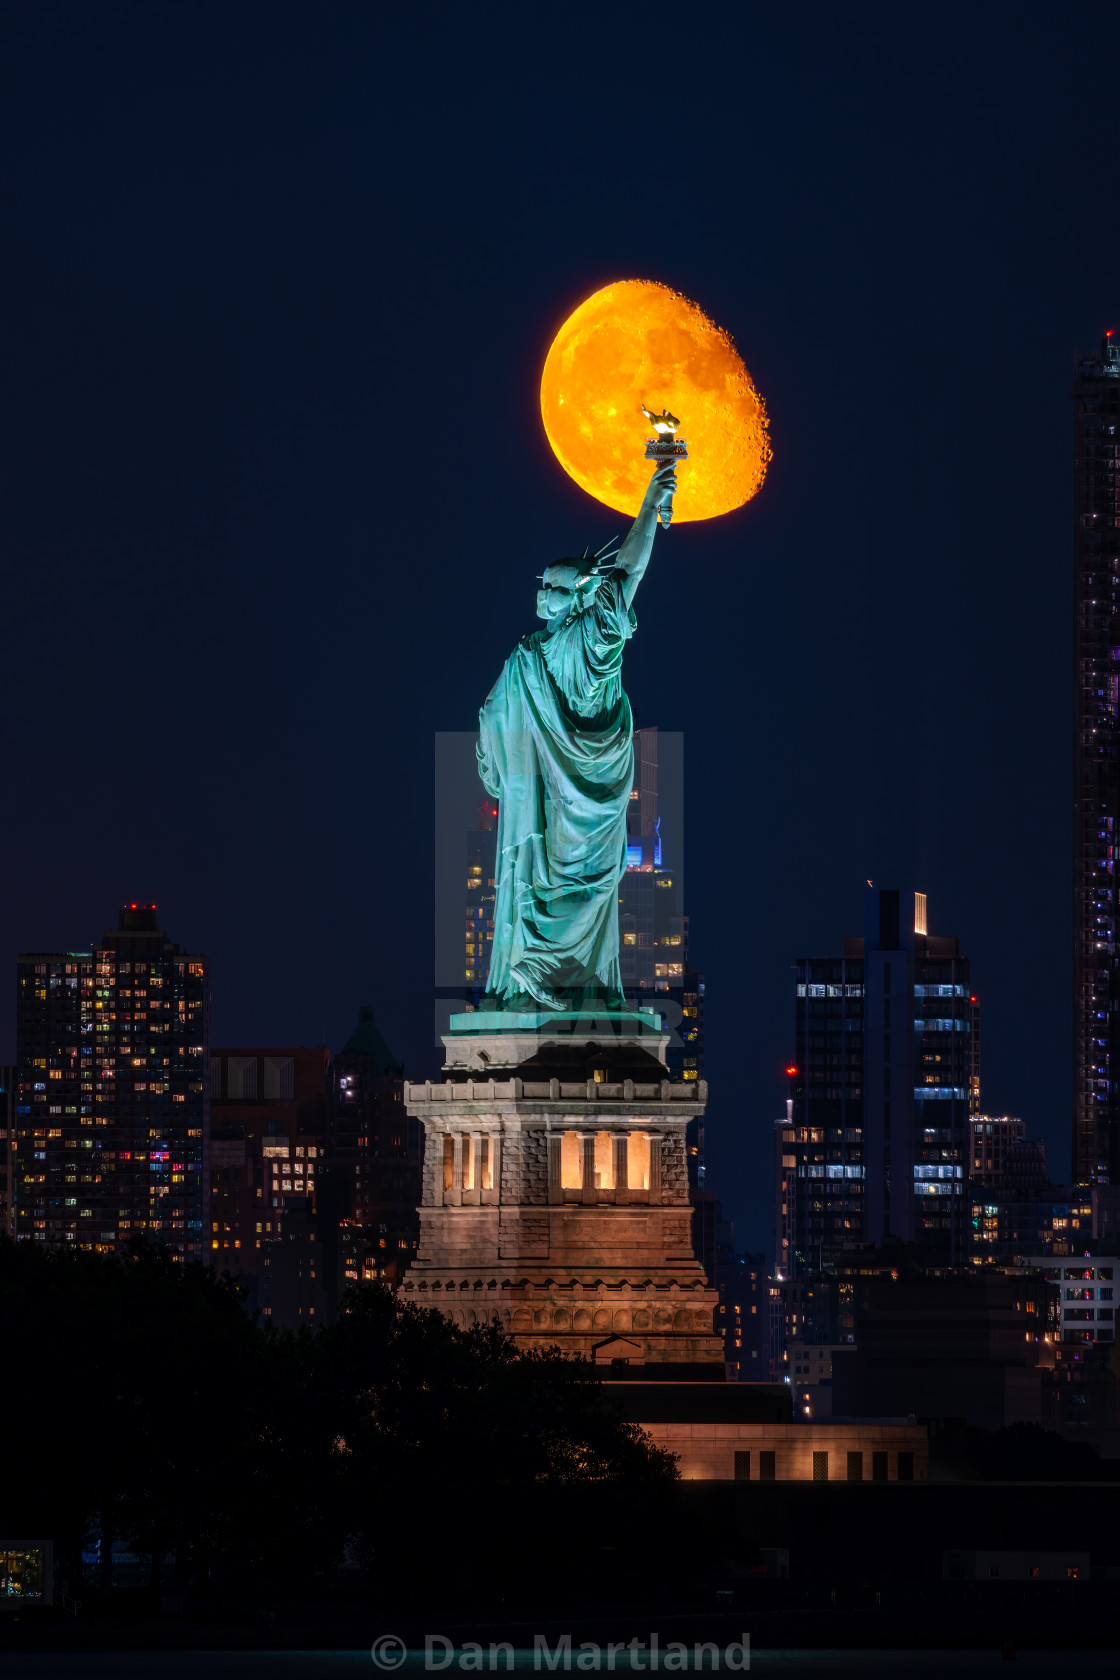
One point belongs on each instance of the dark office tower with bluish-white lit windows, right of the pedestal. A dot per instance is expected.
(876, 1142)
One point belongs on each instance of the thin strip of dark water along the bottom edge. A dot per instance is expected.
(343, 1666)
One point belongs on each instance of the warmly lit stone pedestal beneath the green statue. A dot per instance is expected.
(557, 1192)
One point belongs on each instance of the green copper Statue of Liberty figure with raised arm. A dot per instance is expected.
(557, 752)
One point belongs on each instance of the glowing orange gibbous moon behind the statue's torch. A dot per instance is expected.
(634, 344)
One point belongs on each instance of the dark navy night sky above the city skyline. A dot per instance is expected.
(275, 297)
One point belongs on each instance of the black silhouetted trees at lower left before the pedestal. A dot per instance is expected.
(150, 1407)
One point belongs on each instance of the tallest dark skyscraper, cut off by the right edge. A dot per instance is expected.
(1096, 769)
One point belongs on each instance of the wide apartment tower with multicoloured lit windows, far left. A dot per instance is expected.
(113, 1106)
